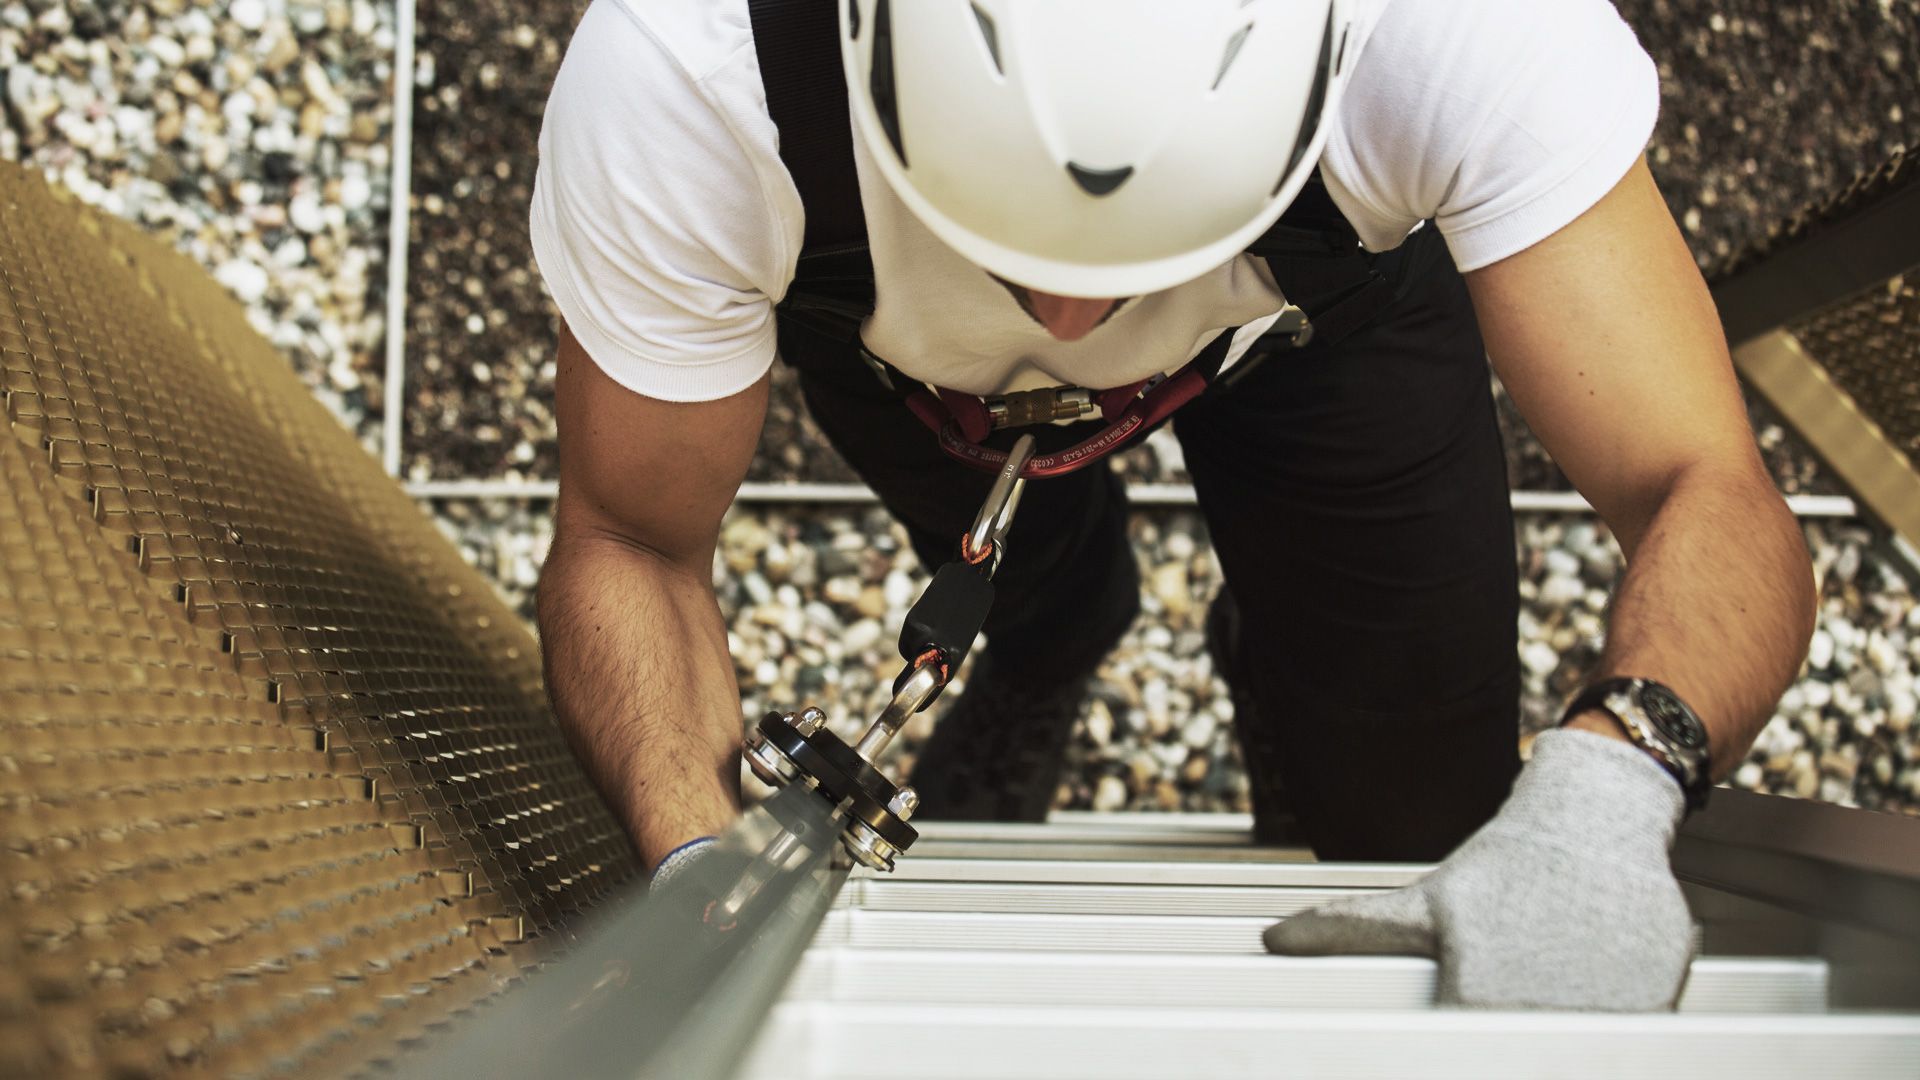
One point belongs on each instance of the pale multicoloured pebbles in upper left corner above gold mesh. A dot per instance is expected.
(252, 134)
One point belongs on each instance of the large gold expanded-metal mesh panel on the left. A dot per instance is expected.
(277, 779)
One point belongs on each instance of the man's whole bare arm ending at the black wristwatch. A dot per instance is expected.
(1610, 345)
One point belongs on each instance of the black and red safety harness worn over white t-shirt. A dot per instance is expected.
(1314, 255)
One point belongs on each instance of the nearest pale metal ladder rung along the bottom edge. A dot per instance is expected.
(1151, 1044)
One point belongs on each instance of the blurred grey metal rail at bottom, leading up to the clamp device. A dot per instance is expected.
(654, 985)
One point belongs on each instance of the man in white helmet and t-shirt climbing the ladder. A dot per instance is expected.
(1074, 193)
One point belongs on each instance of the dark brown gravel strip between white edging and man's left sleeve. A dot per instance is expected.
(479, 324)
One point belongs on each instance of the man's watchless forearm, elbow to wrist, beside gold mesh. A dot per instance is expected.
(642, 681)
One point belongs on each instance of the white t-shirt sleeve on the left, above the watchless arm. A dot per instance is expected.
(663, 222)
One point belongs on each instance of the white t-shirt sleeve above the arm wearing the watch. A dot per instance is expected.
(1499, 120)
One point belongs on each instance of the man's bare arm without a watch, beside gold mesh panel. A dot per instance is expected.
(636, 652)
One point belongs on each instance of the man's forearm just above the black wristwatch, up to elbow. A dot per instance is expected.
(1719, 604)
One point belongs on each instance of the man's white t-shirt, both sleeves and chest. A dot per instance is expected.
(667, 228)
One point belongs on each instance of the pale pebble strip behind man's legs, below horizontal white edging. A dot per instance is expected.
(817, 597)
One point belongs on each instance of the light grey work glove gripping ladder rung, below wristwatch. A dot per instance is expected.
(1566, 900)
